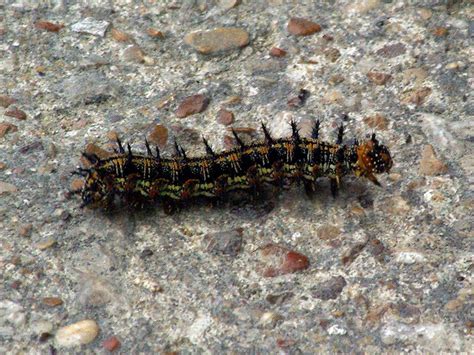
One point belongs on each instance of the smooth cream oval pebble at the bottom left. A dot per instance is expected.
(82, 332)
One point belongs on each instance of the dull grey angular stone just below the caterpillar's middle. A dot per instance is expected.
(225, 242)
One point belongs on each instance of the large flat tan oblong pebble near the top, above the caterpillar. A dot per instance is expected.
(217, 40)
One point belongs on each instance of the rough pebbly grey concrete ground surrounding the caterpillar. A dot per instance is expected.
(390, 268)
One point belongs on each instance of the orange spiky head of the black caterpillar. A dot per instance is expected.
(372, 158)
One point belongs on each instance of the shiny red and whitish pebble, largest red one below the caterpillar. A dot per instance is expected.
(278, 260)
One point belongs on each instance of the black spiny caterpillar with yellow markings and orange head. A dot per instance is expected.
(140, 179)
